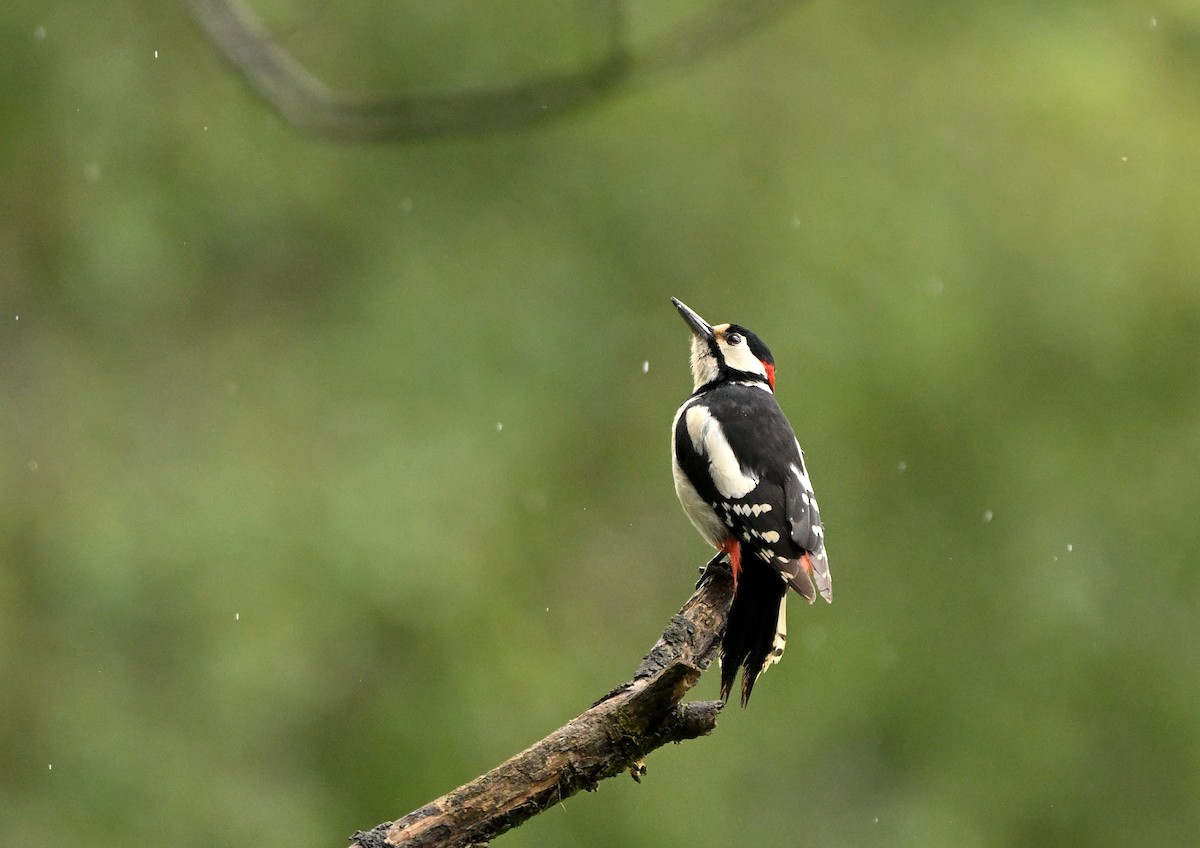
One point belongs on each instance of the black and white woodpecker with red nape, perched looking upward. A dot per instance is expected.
(741, 477)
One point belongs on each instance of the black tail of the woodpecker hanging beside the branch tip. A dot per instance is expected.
(749, 641)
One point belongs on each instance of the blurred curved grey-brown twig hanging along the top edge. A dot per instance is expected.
(309, 105)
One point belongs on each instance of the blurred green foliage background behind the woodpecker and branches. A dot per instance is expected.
(335, 474)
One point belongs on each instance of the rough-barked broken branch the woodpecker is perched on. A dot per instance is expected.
(616, 735)
